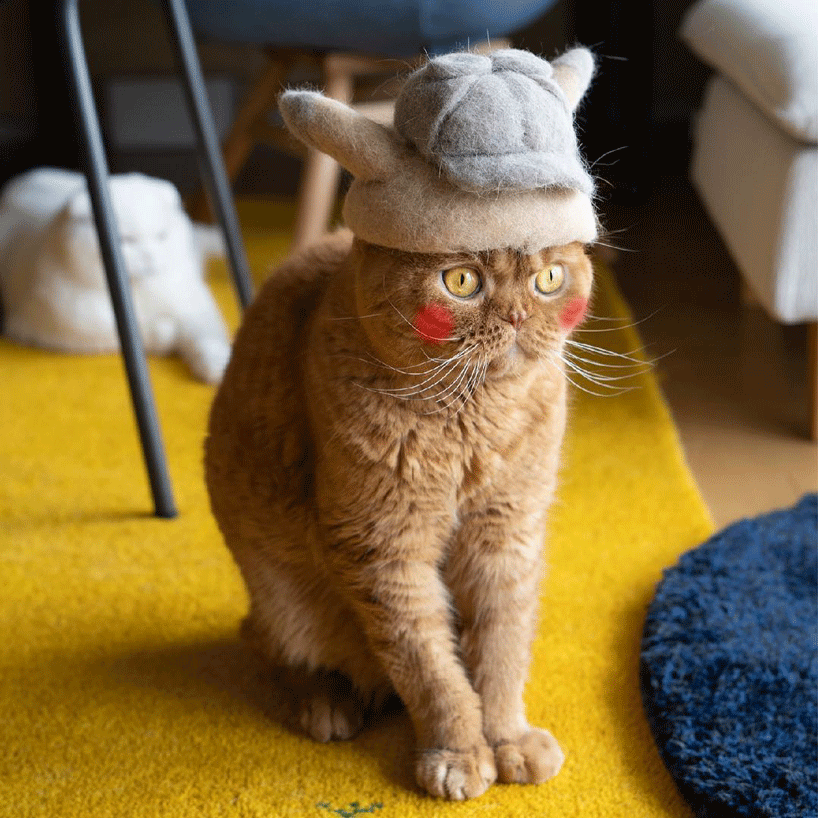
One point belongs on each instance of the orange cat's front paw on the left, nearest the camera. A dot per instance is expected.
(456, 775)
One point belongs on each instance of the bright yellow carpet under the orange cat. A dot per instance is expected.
(125, 691)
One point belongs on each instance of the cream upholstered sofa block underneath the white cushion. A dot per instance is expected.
(758, 185)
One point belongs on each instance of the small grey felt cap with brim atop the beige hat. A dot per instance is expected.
(493, 122)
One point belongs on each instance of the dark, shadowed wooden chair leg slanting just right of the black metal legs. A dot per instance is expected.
(259, 100)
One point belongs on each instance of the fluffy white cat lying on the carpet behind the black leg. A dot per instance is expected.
(52, 282)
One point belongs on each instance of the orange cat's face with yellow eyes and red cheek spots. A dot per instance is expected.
(500, 309)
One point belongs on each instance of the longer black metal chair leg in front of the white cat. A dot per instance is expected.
(97, 175)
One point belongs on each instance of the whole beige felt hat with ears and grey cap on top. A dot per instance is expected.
(482, 155)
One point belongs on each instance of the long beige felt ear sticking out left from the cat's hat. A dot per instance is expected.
(369, 151)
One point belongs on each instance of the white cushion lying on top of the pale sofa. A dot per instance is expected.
(768, 49)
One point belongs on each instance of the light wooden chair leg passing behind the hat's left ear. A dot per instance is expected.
(319, 181)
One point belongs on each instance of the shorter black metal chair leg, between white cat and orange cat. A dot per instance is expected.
(210, 155)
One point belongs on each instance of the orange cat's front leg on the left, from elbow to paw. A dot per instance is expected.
(405, 610)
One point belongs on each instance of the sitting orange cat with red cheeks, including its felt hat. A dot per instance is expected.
(383, 448)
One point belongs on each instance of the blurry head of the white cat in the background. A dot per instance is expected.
(156, 234)
